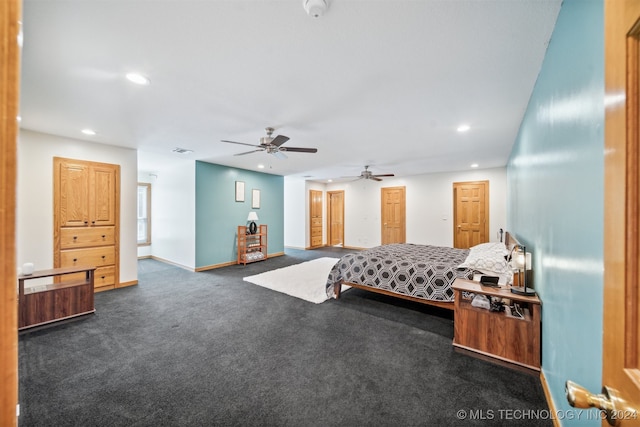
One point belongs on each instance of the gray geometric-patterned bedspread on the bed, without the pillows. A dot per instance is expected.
(420, 271)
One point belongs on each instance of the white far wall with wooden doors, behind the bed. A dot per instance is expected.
(429, 200)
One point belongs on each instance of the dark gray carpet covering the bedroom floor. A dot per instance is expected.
(208, 349)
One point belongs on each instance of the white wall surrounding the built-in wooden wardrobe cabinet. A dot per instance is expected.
(34, 232)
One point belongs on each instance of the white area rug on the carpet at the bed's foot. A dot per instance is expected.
(306, 280)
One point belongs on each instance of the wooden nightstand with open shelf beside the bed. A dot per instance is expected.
(497, 334)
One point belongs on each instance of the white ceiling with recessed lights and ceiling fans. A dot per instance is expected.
(372, 82)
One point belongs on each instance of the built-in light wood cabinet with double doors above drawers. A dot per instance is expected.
(86, 218)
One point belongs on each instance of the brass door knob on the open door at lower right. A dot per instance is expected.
(608, 401)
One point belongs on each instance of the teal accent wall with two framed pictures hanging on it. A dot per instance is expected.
(218, 214)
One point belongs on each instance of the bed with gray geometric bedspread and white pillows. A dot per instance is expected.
(421, 273)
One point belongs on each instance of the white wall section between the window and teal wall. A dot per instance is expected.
(173, 207)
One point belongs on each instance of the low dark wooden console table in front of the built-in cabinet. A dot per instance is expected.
(42, 304)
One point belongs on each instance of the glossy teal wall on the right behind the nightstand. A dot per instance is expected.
(555, 187)
